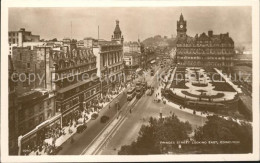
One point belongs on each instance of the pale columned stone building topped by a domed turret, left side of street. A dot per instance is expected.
(110, 65)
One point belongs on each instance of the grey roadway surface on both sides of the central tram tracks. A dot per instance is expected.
(129, 129)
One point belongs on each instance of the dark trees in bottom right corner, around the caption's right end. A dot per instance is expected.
(219, 129)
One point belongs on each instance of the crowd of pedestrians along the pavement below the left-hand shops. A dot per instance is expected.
(47, 144)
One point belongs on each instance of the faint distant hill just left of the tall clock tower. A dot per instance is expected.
(159, 41)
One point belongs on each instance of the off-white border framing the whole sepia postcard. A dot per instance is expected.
(109, 3)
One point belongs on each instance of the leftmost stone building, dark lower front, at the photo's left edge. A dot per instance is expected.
(32, 100)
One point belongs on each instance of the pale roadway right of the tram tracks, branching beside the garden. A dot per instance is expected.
(145, 108)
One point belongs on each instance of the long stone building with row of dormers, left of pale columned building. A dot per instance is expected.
(75, 81)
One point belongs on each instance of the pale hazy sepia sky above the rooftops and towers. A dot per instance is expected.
(144, 22)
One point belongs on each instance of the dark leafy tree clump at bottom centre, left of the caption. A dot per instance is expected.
(150, 136)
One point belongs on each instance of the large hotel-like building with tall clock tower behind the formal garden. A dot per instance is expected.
(204, 50)
